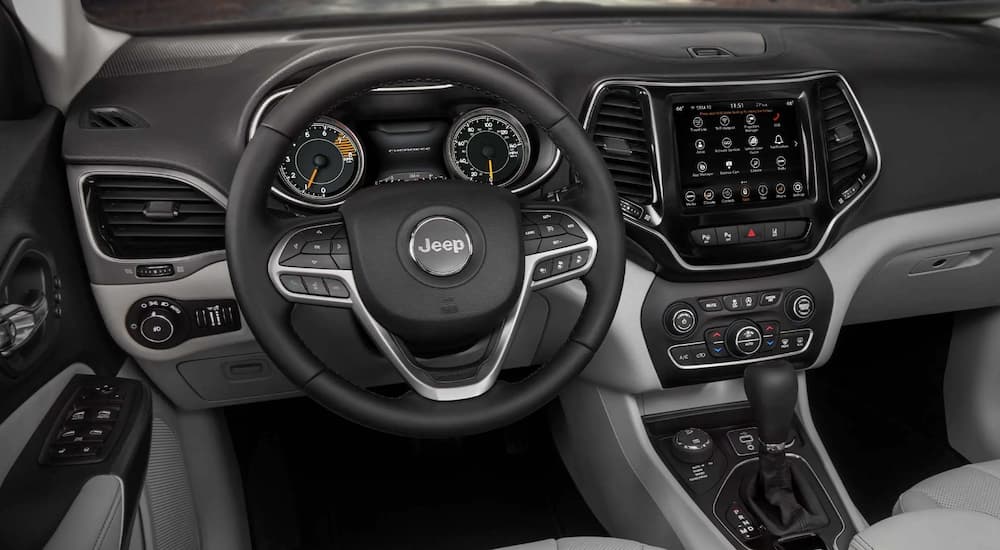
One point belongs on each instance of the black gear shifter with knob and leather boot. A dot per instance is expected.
(782, 494)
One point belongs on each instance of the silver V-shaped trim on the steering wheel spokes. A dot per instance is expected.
(489, 368)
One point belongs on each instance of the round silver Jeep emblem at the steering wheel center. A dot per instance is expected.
(440, 246)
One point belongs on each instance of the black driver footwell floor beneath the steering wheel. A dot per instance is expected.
(314, 481)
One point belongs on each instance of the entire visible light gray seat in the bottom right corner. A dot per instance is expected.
(957, 509)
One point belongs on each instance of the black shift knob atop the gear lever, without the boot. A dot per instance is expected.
(772, 390)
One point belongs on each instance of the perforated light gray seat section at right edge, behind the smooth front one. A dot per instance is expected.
(975, 488)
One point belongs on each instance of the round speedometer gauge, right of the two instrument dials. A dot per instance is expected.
(488, 145)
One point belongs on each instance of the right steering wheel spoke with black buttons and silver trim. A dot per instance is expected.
(558, 246)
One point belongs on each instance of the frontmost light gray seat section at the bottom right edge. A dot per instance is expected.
(931, 530)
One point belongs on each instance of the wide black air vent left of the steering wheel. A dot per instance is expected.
(153, 217)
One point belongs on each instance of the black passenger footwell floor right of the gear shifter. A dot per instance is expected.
(879, 409)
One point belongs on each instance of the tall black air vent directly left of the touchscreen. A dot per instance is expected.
(619, 131)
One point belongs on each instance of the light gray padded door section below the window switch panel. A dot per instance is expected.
(95, 519)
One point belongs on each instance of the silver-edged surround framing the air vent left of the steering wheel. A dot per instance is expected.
(106, 269)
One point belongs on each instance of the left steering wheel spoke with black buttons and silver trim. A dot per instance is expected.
(312, 265)
